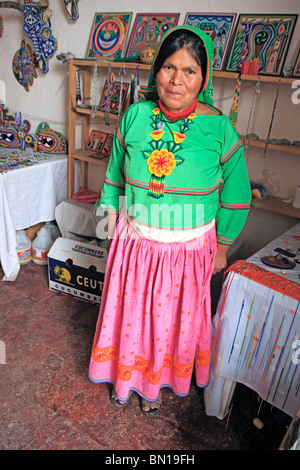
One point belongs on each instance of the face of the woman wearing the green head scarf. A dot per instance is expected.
(179, 81)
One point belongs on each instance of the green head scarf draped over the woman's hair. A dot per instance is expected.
(206, 95)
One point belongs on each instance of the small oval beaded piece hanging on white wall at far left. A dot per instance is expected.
(24, 66)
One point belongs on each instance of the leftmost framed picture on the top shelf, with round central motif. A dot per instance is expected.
(108, 36)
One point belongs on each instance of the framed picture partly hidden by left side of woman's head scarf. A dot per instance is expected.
(148, 30)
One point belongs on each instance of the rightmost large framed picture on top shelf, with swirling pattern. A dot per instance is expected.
(265, 38)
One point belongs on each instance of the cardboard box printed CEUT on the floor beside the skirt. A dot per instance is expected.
(77, 269)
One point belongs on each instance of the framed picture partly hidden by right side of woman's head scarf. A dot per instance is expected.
(219, 27)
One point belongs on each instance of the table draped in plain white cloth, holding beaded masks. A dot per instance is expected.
(28, 195)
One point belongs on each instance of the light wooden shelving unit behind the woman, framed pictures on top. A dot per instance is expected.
(85, 157)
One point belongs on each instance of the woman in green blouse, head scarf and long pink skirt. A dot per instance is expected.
(170, 152)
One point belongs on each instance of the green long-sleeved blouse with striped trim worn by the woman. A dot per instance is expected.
(168, 175)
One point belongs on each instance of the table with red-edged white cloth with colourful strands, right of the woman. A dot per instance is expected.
(256, 332)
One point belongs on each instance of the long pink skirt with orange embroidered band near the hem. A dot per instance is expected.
(154, 324)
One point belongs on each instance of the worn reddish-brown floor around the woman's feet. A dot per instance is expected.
(48, 402)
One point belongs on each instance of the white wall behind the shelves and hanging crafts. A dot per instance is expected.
(47, 98)
